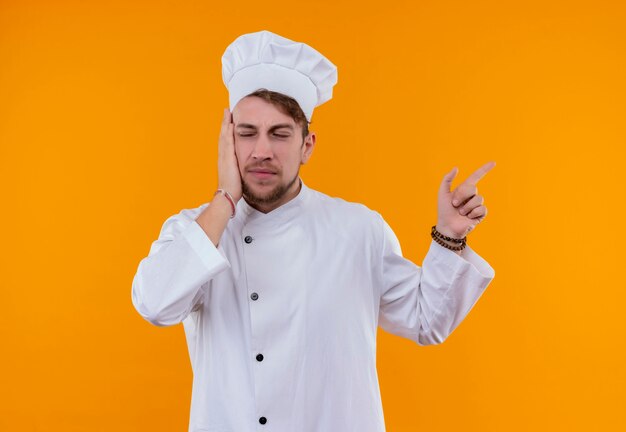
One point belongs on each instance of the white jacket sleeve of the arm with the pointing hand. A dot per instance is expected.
(425, 304)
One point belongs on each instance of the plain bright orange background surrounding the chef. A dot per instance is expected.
(109, 119)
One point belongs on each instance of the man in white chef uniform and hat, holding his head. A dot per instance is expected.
(280, 287)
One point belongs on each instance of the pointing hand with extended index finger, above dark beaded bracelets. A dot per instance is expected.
(459, 212)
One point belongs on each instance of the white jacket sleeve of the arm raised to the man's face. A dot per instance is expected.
(172, 280)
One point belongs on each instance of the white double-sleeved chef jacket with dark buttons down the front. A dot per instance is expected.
(281, 318)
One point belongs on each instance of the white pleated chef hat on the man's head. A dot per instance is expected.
(267, 60)
